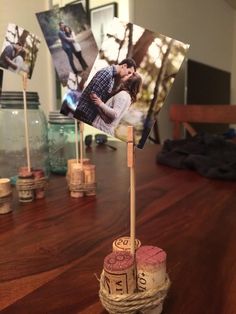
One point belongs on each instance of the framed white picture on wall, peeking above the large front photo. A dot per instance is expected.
(100, 19)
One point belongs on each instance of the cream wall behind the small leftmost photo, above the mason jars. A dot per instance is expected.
(22, 13)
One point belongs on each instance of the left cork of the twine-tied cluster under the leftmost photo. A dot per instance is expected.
(25, 185)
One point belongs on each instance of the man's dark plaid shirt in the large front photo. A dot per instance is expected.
(101, 84)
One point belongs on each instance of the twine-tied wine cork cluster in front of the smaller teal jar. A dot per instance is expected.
(81, 178)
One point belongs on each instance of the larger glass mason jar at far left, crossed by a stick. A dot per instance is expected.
(12, 134)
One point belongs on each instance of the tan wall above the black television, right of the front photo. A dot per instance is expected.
(207, 25)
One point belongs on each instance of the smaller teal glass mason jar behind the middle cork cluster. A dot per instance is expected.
(61, 138)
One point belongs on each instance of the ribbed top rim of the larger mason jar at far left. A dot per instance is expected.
(14, 100)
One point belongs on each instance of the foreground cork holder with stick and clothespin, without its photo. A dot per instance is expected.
(134, 277)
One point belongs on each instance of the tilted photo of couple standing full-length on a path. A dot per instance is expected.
(70, 41)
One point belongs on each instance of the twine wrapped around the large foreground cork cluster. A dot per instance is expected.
(132, 303)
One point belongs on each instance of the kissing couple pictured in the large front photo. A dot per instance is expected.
(109, 95)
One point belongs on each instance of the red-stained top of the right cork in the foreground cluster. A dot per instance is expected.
(150, 255)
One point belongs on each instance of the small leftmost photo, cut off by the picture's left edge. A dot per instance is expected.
(19, 51)
